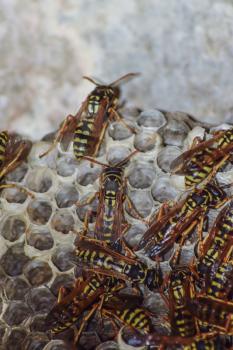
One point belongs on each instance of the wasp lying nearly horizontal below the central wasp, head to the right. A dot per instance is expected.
(111, 263)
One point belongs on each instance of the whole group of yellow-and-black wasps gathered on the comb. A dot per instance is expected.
(198, 296)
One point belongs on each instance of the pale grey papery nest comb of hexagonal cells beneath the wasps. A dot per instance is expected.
(38, 234)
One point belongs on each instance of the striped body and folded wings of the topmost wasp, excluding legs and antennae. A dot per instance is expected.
(93, 121)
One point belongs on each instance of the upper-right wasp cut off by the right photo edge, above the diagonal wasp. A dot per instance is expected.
(204, 159)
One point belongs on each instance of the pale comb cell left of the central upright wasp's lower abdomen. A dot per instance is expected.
(62, 221)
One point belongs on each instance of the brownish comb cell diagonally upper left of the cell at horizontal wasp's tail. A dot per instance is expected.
(40, 238)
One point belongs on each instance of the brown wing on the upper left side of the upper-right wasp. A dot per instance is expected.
(180, 164)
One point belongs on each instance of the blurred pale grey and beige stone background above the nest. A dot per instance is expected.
(183, 49)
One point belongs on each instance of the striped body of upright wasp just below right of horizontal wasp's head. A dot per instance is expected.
(182, 321)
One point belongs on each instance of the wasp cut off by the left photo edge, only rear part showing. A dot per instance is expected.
(12, 153)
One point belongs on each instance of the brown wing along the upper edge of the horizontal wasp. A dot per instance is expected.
(96, 246)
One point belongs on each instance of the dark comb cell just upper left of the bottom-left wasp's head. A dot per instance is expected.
(41, 300)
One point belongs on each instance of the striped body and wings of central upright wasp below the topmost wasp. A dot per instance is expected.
(110, 214)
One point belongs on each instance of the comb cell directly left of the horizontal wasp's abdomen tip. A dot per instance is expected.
(62, 258)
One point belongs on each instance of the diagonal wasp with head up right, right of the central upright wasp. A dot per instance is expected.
(179, 221)
